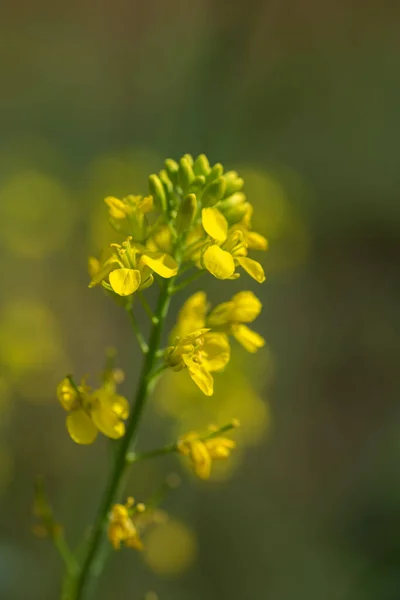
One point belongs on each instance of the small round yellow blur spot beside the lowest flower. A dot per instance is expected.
(170, 548)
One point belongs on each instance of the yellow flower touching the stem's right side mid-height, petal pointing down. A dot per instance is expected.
(201, 352)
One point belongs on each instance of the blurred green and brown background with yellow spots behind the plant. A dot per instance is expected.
(301, 97)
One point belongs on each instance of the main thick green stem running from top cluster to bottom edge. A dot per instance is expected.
(97, 535)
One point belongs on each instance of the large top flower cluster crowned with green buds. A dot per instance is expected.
(195, 216)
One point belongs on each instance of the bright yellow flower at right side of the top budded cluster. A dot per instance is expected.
(227, 249)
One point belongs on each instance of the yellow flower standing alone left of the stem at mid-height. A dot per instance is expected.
(91, 411)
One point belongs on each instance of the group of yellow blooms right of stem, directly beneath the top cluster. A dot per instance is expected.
(200, 339)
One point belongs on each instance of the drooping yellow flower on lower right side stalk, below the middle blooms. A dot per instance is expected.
(202, 452)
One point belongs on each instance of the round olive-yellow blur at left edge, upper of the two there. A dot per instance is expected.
(36, 214)
